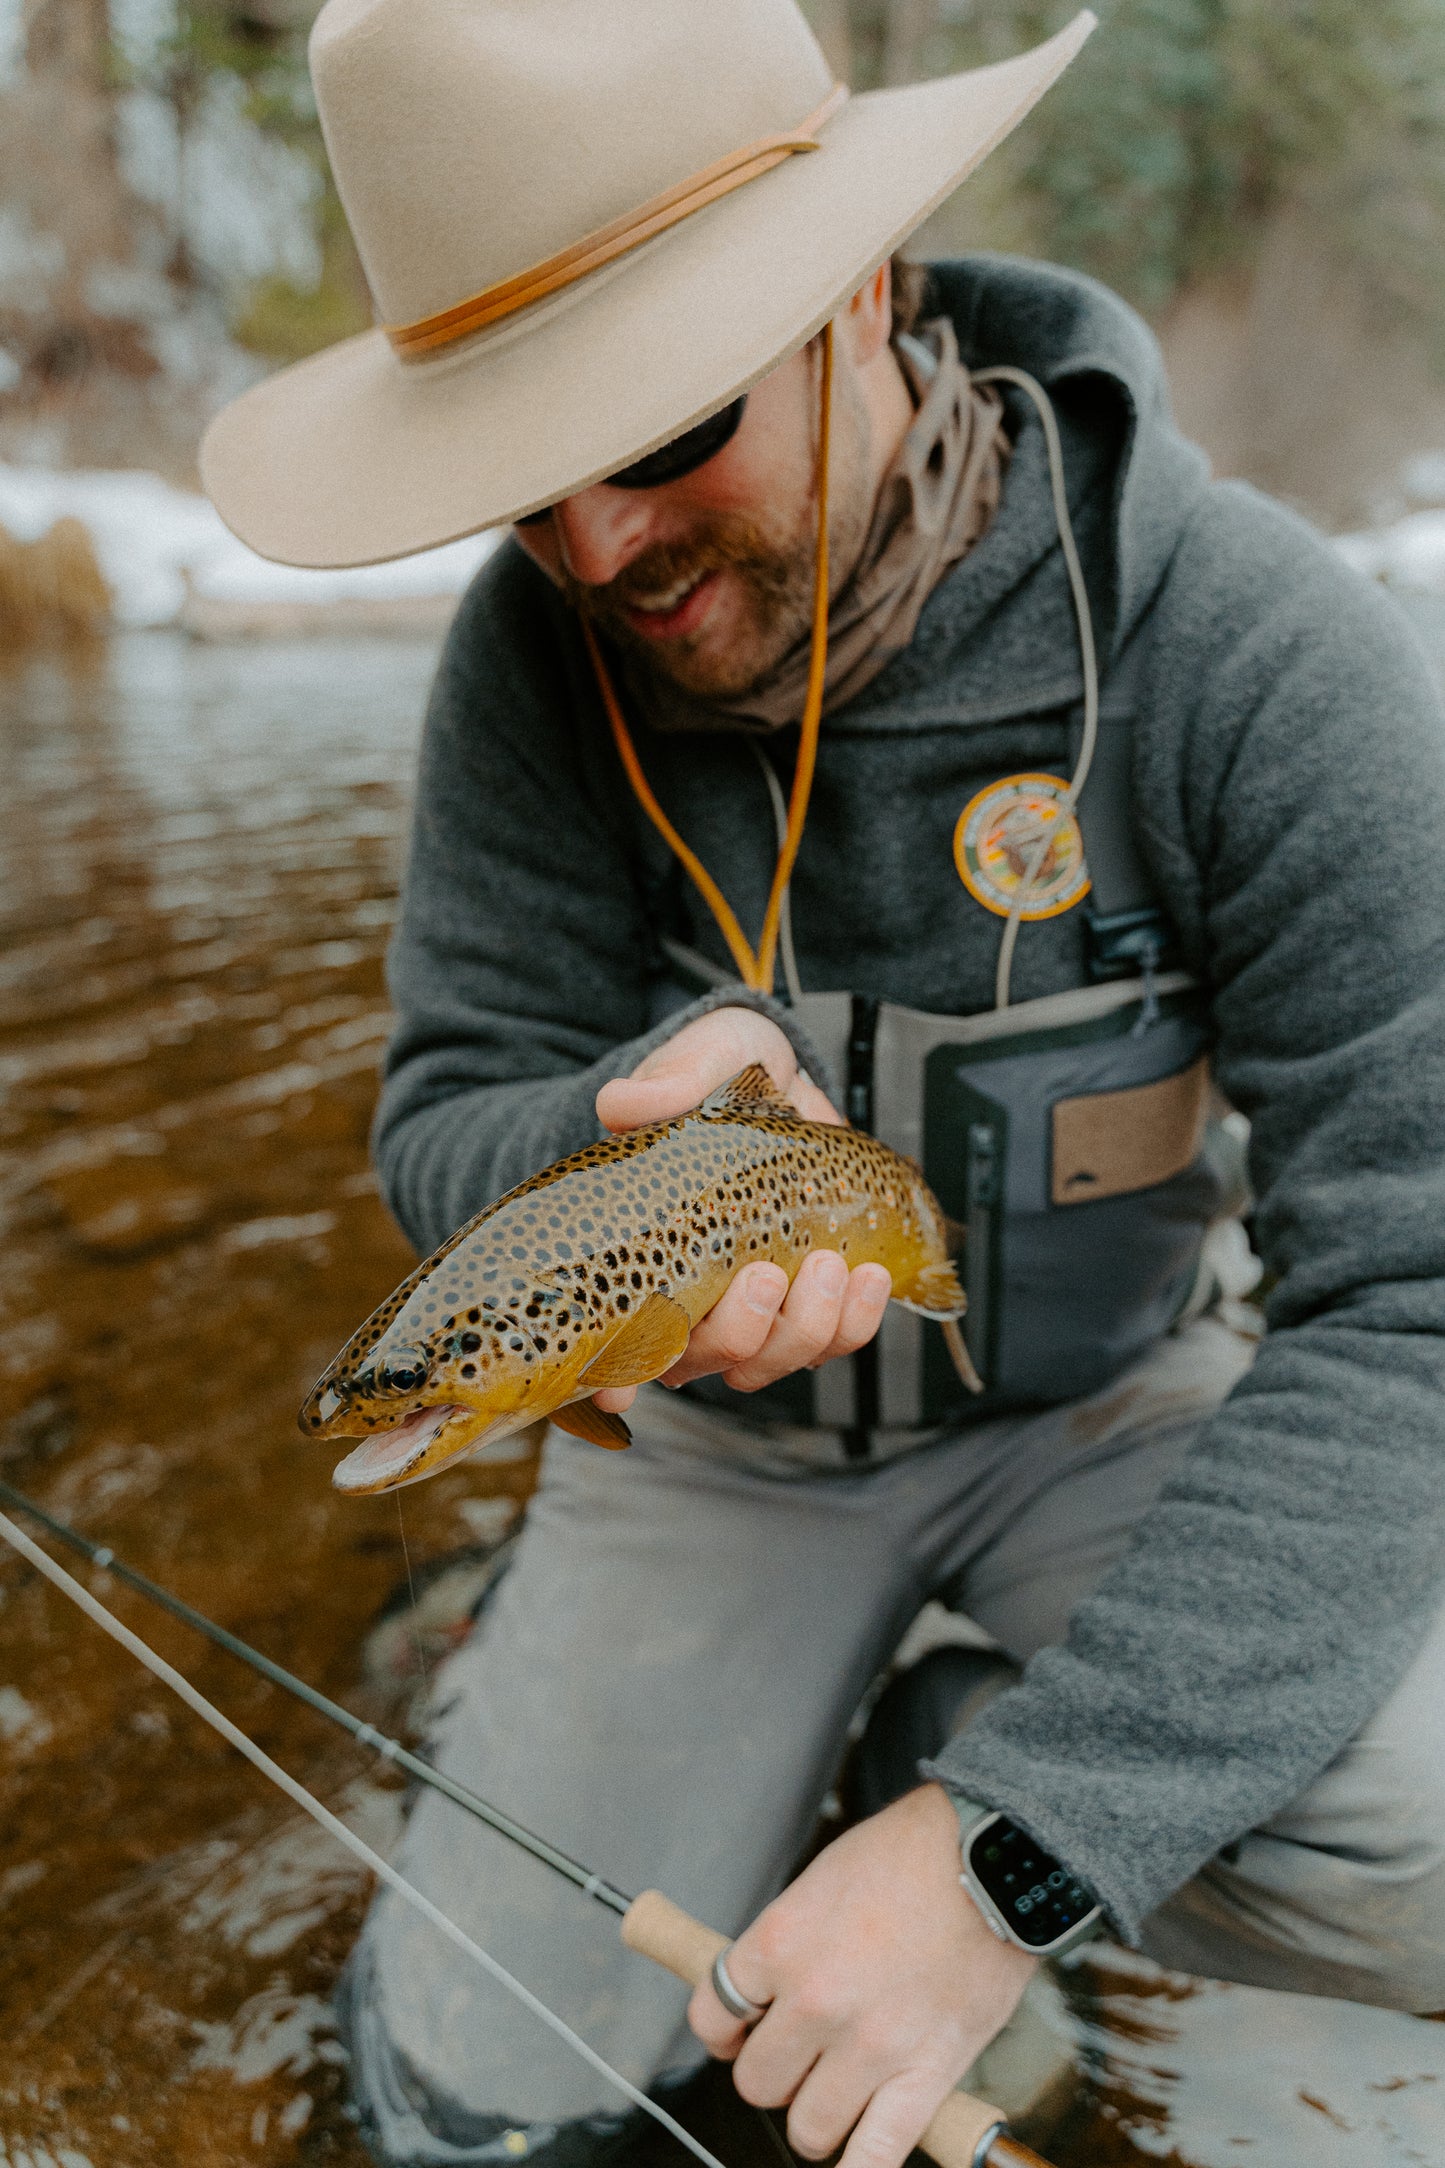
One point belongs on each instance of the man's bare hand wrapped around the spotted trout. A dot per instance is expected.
(761, 1330)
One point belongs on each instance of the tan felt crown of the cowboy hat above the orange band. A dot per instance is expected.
(471, 140)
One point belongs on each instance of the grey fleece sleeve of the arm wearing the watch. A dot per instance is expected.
(1292, 797)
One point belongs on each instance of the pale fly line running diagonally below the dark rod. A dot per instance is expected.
(44, 1564)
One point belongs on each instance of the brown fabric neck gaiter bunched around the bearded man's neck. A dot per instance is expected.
(933, 506)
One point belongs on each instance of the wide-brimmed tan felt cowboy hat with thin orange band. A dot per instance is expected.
(588, 224)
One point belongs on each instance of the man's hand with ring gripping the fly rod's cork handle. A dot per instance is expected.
(881, 1985)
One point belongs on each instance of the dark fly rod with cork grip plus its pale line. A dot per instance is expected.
(963, 2134)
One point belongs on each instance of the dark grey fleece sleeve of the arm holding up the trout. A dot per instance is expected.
(525, 968)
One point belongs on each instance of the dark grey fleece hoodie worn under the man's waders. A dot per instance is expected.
(1290, 799)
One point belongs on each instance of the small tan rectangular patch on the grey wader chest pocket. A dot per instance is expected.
(1117, 1141)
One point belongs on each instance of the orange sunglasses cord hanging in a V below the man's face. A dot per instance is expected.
(755, 970)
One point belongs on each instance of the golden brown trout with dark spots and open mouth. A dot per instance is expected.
(597, 1272)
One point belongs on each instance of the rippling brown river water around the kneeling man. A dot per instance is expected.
(198, 873)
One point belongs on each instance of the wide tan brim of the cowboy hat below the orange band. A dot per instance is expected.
(356, 456)
